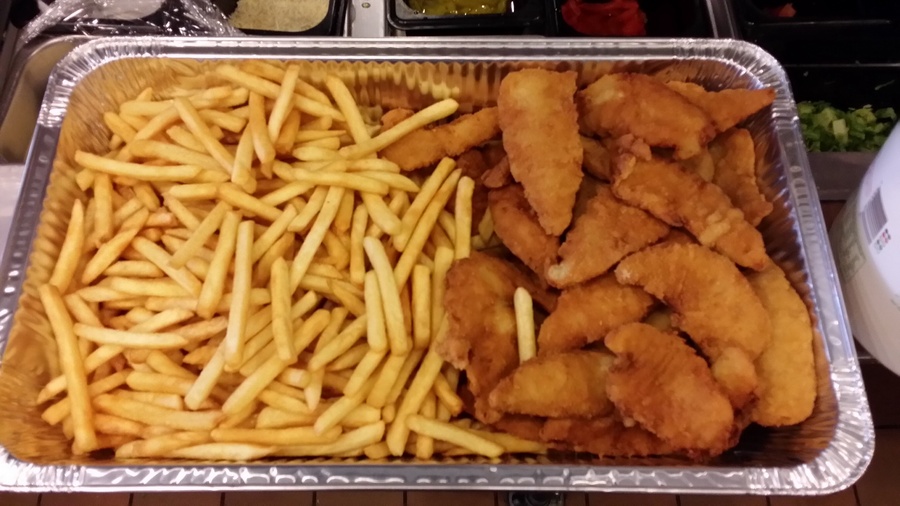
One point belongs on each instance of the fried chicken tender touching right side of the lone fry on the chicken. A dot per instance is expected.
(586, 313)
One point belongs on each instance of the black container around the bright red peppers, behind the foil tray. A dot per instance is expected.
(665, 18)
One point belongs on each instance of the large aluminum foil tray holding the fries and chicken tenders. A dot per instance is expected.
(826, 453)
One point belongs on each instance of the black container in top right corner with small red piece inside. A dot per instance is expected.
(825, 31)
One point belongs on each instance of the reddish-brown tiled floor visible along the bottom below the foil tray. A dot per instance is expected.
(878, 487)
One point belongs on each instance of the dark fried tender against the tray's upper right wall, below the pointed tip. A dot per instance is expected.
(735, 173)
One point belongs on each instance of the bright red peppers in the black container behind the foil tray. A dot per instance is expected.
(617, 18)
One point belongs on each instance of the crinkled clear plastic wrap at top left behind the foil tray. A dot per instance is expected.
(129, 17)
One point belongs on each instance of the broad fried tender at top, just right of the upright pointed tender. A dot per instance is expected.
(620, 104)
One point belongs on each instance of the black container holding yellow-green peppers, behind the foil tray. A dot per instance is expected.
(524, 17)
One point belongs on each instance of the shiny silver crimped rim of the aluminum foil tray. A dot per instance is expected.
(854, 426)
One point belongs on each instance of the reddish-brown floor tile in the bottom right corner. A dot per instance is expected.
(880, 484)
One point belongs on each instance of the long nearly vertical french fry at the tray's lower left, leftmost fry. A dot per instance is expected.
(72, 365)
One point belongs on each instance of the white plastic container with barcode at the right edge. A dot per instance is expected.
(865, 239)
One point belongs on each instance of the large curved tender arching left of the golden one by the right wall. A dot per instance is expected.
(711, 299)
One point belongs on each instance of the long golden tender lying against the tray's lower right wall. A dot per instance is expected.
(787, 375)
